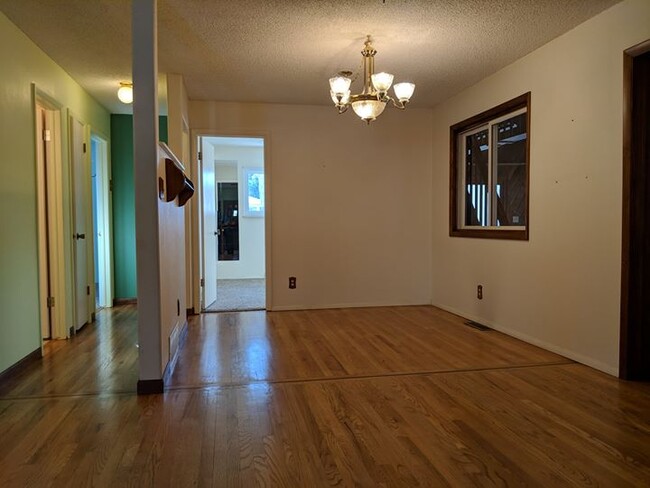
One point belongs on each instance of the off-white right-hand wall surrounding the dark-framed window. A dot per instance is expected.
(562, 288)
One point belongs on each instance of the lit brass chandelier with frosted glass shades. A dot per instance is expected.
(371, 102)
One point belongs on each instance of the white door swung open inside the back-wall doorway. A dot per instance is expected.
(209, 225)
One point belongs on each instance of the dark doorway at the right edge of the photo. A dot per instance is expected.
(635, 286)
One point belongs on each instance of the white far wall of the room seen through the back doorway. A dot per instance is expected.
(251, 229)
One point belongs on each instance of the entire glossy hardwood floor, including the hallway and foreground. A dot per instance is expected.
(397, 396)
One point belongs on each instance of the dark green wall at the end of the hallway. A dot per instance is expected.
(124, 264)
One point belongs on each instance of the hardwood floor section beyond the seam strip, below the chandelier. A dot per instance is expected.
(236, 348)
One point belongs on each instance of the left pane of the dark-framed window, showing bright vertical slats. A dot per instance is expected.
(476, 179)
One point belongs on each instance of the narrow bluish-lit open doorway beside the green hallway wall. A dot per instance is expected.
(100, 177)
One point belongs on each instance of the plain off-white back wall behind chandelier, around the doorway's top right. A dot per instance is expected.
(350, 212)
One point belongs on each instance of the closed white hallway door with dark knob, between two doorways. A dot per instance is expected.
(80, 232)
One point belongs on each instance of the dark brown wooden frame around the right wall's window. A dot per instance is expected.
(455, 230)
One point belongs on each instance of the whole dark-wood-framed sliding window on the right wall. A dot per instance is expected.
(489, 173)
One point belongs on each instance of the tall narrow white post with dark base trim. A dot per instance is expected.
(145, 139)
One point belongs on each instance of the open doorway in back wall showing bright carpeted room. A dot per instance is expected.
(233, 218)
